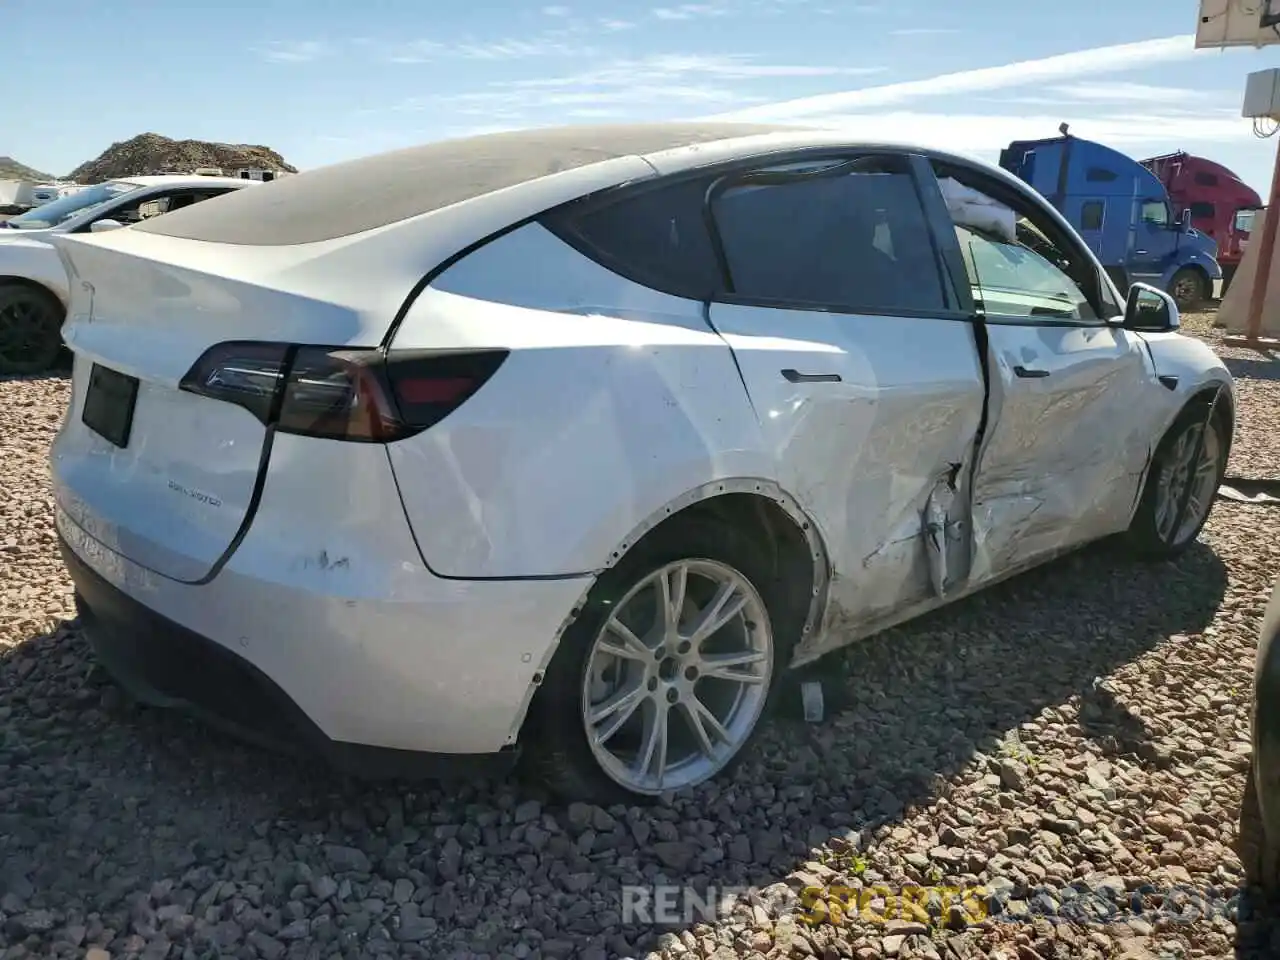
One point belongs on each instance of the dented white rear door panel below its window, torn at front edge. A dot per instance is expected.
(879, 458)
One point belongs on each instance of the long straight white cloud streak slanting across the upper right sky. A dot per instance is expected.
(1084, 63)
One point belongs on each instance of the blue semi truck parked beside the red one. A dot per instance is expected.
(1123, 212)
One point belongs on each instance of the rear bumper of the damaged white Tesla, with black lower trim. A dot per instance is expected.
(378, 687)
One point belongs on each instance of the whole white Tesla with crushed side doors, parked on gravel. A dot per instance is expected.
(573, 441)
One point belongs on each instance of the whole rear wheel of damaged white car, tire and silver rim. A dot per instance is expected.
(664, 679)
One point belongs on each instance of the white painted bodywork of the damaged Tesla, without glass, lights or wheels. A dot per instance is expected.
(410, 596)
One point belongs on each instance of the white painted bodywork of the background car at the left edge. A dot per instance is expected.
(28, 255)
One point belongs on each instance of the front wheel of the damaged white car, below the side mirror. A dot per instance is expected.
(1180, 481)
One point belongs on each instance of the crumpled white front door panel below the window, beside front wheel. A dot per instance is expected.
(1073, 417)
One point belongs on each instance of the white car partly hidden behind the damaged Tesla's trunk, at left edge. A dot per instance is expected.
(33, 281)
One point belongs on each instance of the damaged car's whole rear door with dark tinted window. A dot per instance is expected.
(861, 367)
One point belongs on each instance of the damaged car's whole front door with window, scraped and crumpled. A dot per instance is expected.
(1073, 401)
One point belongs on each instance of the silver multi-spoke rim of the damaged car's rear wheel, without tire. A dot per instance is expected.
(678, 678)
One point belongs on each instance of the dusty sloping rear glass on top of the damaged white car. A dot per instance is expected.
(363, 195)
